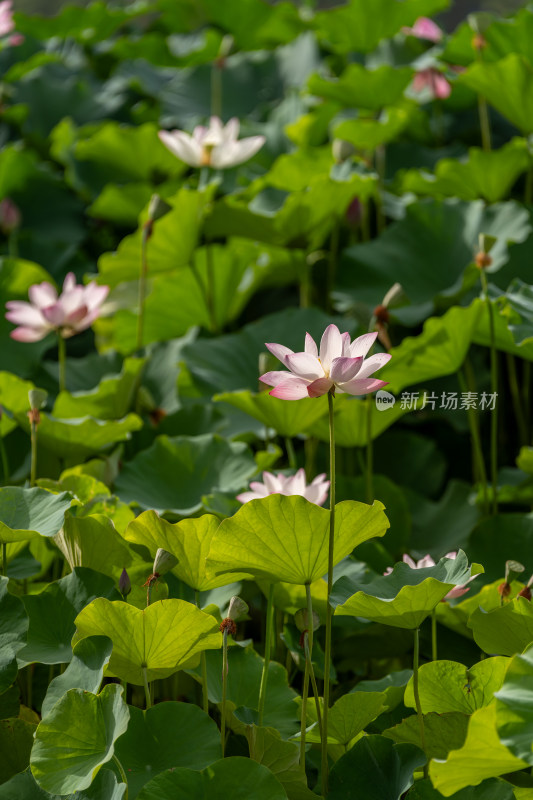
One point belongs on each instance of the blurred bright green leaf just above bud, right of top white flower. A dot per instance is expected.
(368, 133)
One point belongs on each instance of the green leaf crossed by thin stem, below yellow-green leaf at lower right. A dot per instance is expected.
(442, 732)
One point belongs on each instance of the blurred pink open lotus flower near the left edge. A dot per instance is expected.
(72, 312)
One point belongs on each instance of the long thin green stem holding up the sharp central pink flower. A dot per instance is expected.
(329, 609)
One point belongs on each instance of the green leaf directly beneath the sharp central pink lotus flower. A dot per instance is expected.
(287, 419)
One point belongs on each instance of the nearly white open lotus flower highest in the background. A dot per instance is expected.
(216, 146)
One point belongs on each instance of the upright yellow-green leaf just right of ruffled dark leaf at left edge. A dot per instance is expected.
(93, 542)
